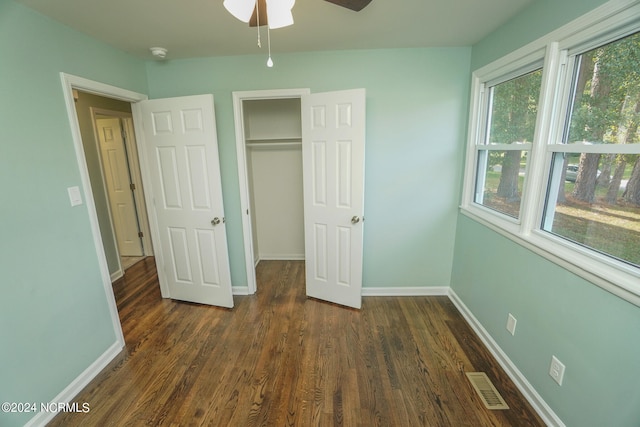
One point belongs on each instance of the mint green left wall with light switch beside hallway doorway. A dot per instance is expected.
(54, 319)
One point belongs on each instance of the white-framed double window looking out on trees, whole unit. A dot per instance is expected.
(553, 160)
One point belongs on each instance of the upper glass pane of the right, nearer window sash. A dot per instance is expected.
(606, 94)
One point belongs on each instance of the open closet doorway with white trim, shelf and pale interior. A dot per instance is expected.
(269, 152)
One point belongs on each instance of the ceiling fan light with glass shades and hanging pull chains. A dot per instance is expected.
(274, 14)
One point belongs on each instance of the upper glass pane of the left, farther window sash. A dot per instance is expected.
(513, 109)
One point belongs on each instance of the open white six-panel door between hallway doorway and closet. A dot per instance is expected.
(180, 150)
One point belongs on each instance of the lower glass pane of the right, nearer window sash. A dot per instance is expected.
(587, 203)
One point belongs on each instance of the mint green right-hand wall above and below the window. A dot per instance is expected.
(594, 333)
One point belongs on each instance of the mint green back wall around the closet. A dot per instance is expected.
(416, 119)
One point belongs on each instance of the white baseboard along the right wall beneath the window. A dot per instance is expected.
(530, 394)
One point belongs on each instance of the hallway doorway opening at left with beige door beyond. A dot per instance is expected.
(108, 141)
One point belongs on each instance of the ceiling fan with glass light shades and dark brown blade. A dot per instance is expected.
(258, 12)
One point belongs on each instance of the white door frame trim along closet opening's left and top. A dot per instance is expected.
(243, 178)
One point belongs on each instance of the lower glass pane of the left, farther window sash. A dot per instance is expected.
(500, 180)
